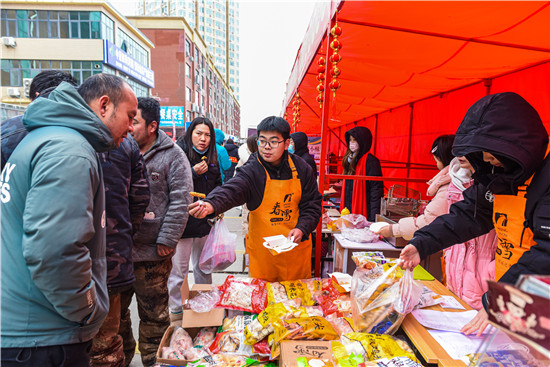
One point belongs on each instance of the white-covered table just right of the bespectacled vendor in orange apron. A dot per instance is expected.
(344, 248)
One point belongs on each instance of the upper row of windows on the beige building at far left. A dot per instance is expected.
(50, 24)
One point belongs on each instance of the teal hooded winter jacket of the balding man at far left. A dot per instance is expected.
(53, 264)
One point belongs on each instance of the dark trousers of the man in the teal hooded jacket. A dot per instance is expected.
(68, 355)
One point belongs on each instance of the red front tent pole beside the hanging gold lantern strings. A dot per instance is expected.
(324, 134)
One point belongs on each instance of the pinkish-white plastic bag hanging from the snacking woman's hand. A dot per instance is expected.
(219, 250)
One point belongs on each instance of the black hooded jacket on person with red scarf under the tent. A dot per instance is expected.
(375, 189)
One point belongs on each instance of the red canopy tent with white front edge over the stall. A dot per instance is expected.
(410, 69)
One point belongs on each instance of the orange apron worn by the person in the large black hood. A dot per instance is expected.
(513, 238)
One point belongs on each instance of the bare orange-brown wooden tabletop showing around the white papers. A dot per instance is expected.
(428, 347)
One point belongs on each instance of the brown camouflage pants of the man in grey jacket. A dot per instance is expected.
(151, 292)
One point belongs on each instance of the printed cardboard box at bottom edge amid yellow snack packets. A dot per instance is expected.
(293, 349)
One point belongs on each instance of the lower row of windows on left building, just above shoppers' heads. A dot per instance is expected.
(13, 71)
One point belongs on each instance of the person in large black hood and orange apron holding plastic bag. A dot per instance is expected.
(504, 139)
